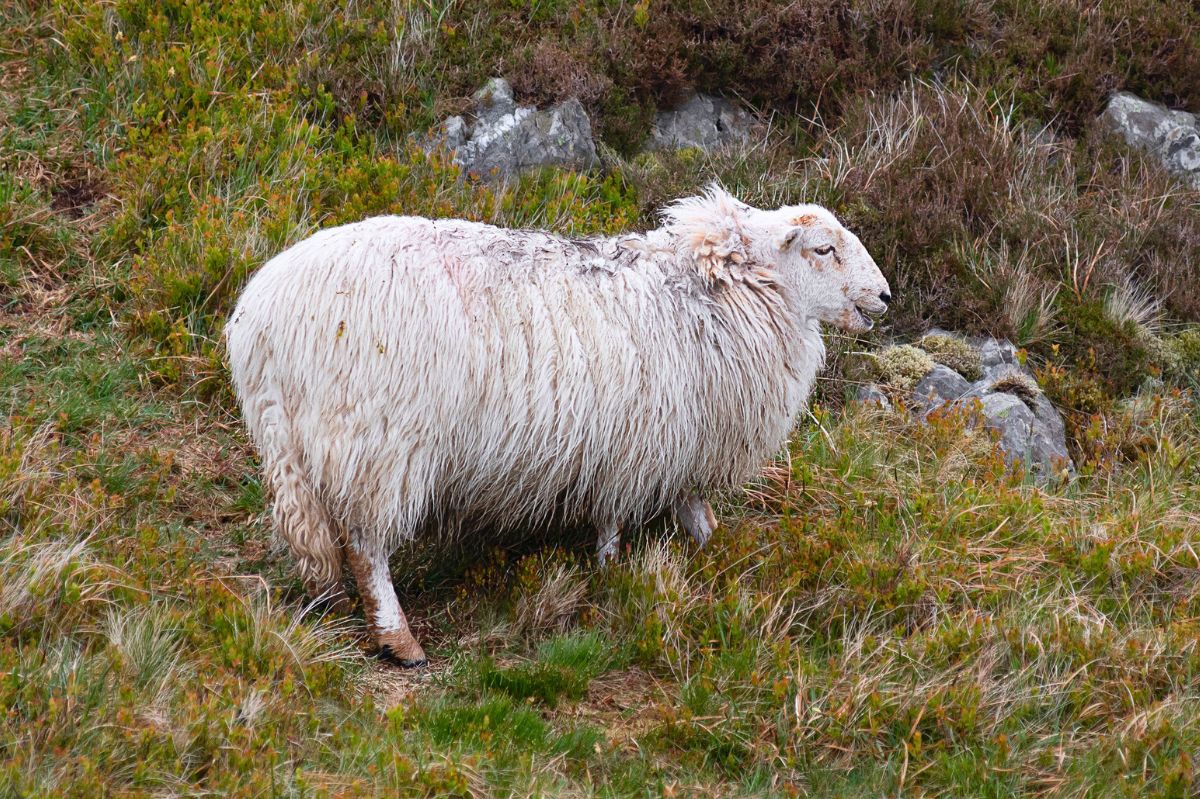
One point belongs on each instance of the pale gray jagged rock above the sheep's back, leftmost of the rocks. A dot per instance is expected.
(506, 139)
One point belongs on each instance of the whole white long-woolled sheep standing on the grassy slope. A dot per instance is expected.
(400, 374)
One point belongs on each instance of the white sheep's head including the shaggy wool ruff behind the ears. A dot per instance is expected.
(801, 248)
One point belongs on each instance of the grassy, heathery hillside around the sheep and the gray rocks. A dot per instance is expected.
(886, 611)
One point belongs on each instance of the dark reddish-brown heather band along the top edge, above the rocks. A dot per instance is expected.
(1055, 59)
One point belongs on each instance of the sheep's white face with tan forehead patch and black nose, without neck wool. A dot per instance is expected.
(829, 268)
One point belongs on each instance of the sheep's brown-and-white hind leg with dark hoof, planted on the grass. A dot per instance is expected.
(386, 620)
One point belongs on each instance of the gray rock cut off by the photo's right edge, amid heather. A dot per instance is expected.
(1174, 136)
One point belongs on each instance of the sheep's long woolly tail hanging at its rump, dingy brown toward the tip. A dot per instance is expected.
(303, 521)
